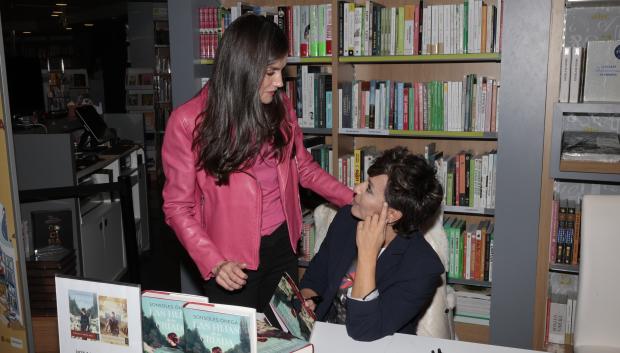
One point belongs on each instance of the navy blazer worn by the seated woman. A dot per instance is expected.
(408, 274)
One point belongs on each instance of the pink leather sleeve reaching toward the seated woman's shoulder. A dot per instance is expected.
(311, 175)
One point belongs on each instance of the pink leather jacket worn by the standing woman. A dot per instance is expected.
(217, 223)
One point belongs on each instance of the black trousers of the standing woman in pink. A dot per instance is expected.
(276, 257)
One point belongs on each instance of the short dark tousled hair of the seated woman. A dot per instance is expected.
(412, 188)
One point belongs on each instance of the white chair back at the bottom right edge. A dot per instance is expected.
(598, 309)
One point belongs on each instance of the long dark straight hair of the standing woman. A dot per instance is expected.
(235, 124)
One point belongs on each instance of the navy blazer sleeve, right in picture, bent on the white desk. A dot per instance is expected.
(393, 308)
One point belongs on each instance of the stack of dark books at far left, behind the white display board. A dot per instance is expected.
(41, 273)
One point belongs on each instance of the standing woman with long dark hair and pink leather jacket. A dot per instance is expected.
(234, 158)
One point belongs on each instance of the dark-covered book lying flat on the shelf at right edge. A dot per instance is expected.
(595, 146)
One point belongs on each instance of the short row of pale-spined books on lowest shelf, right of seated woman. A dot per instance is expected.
(473, 307)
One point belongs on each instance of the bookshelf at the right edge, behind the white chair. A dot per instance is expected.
(572, 24)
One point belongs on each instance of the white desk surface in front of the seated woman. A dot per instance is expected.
(328, 338)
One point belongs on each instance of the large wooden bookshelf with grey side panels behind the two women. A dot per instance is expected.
(519, 139)
